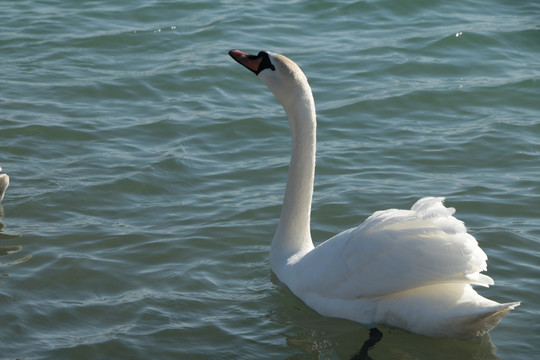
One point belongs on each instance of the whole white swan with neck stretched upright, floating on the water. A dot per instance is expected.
(413, 269)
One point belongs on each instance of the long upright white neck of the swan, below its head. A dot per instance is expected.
(293, 236)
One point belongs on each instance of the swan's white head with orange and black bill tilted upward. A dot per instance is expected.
(282, 76)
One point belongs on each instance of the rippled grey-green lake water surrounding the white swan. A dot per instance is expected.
(148, 168)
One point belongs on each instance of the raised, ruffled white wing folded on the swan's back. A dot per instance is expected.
(396, 250)
